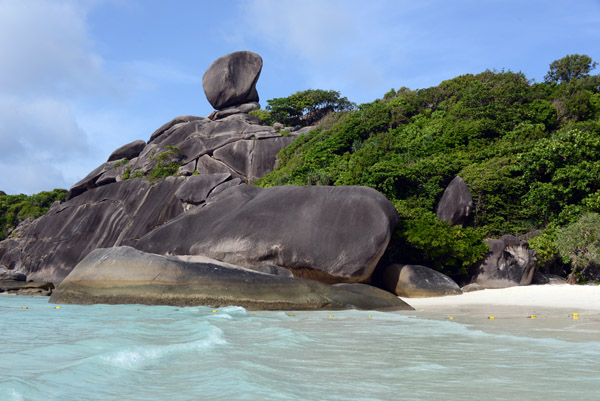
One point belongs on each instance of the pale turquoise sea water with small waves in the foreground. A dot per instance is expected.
(135, 352)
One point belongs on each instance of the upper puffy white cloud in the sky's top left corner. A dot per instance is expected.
(45, 48)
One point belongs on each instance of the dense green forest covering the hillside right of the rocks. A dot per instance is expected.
(529, 152)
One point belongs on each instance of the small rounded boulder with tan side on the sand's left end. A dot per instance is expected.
(418, 281)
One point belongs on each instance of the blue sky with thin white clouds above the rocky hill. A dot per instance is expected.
(80, 78)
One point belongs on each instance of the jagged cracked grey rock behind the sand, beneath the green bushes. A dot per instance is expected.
(510, 262)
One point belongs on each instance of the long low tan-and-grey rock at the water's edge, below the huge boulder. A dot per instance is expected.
(125, 275)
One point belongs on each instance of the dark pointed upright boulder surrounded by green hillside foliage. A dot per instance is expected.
(456, 204)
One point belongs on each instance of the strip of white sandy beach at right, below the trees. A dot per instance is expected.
(527, 298)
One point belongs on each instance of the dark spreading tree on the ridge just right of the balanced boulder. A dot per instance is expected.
(307, 107)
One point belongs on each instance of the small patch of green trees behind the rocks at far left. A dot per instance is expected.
(16, 208)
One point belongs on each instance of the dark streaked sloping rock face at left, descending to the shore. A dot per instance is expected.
(102, 217)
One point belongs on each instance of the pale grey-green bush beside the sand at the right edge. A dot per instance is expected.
(579, 244)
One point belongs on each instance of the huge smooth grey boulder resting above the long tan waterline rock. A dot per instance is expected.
(332, 234)
